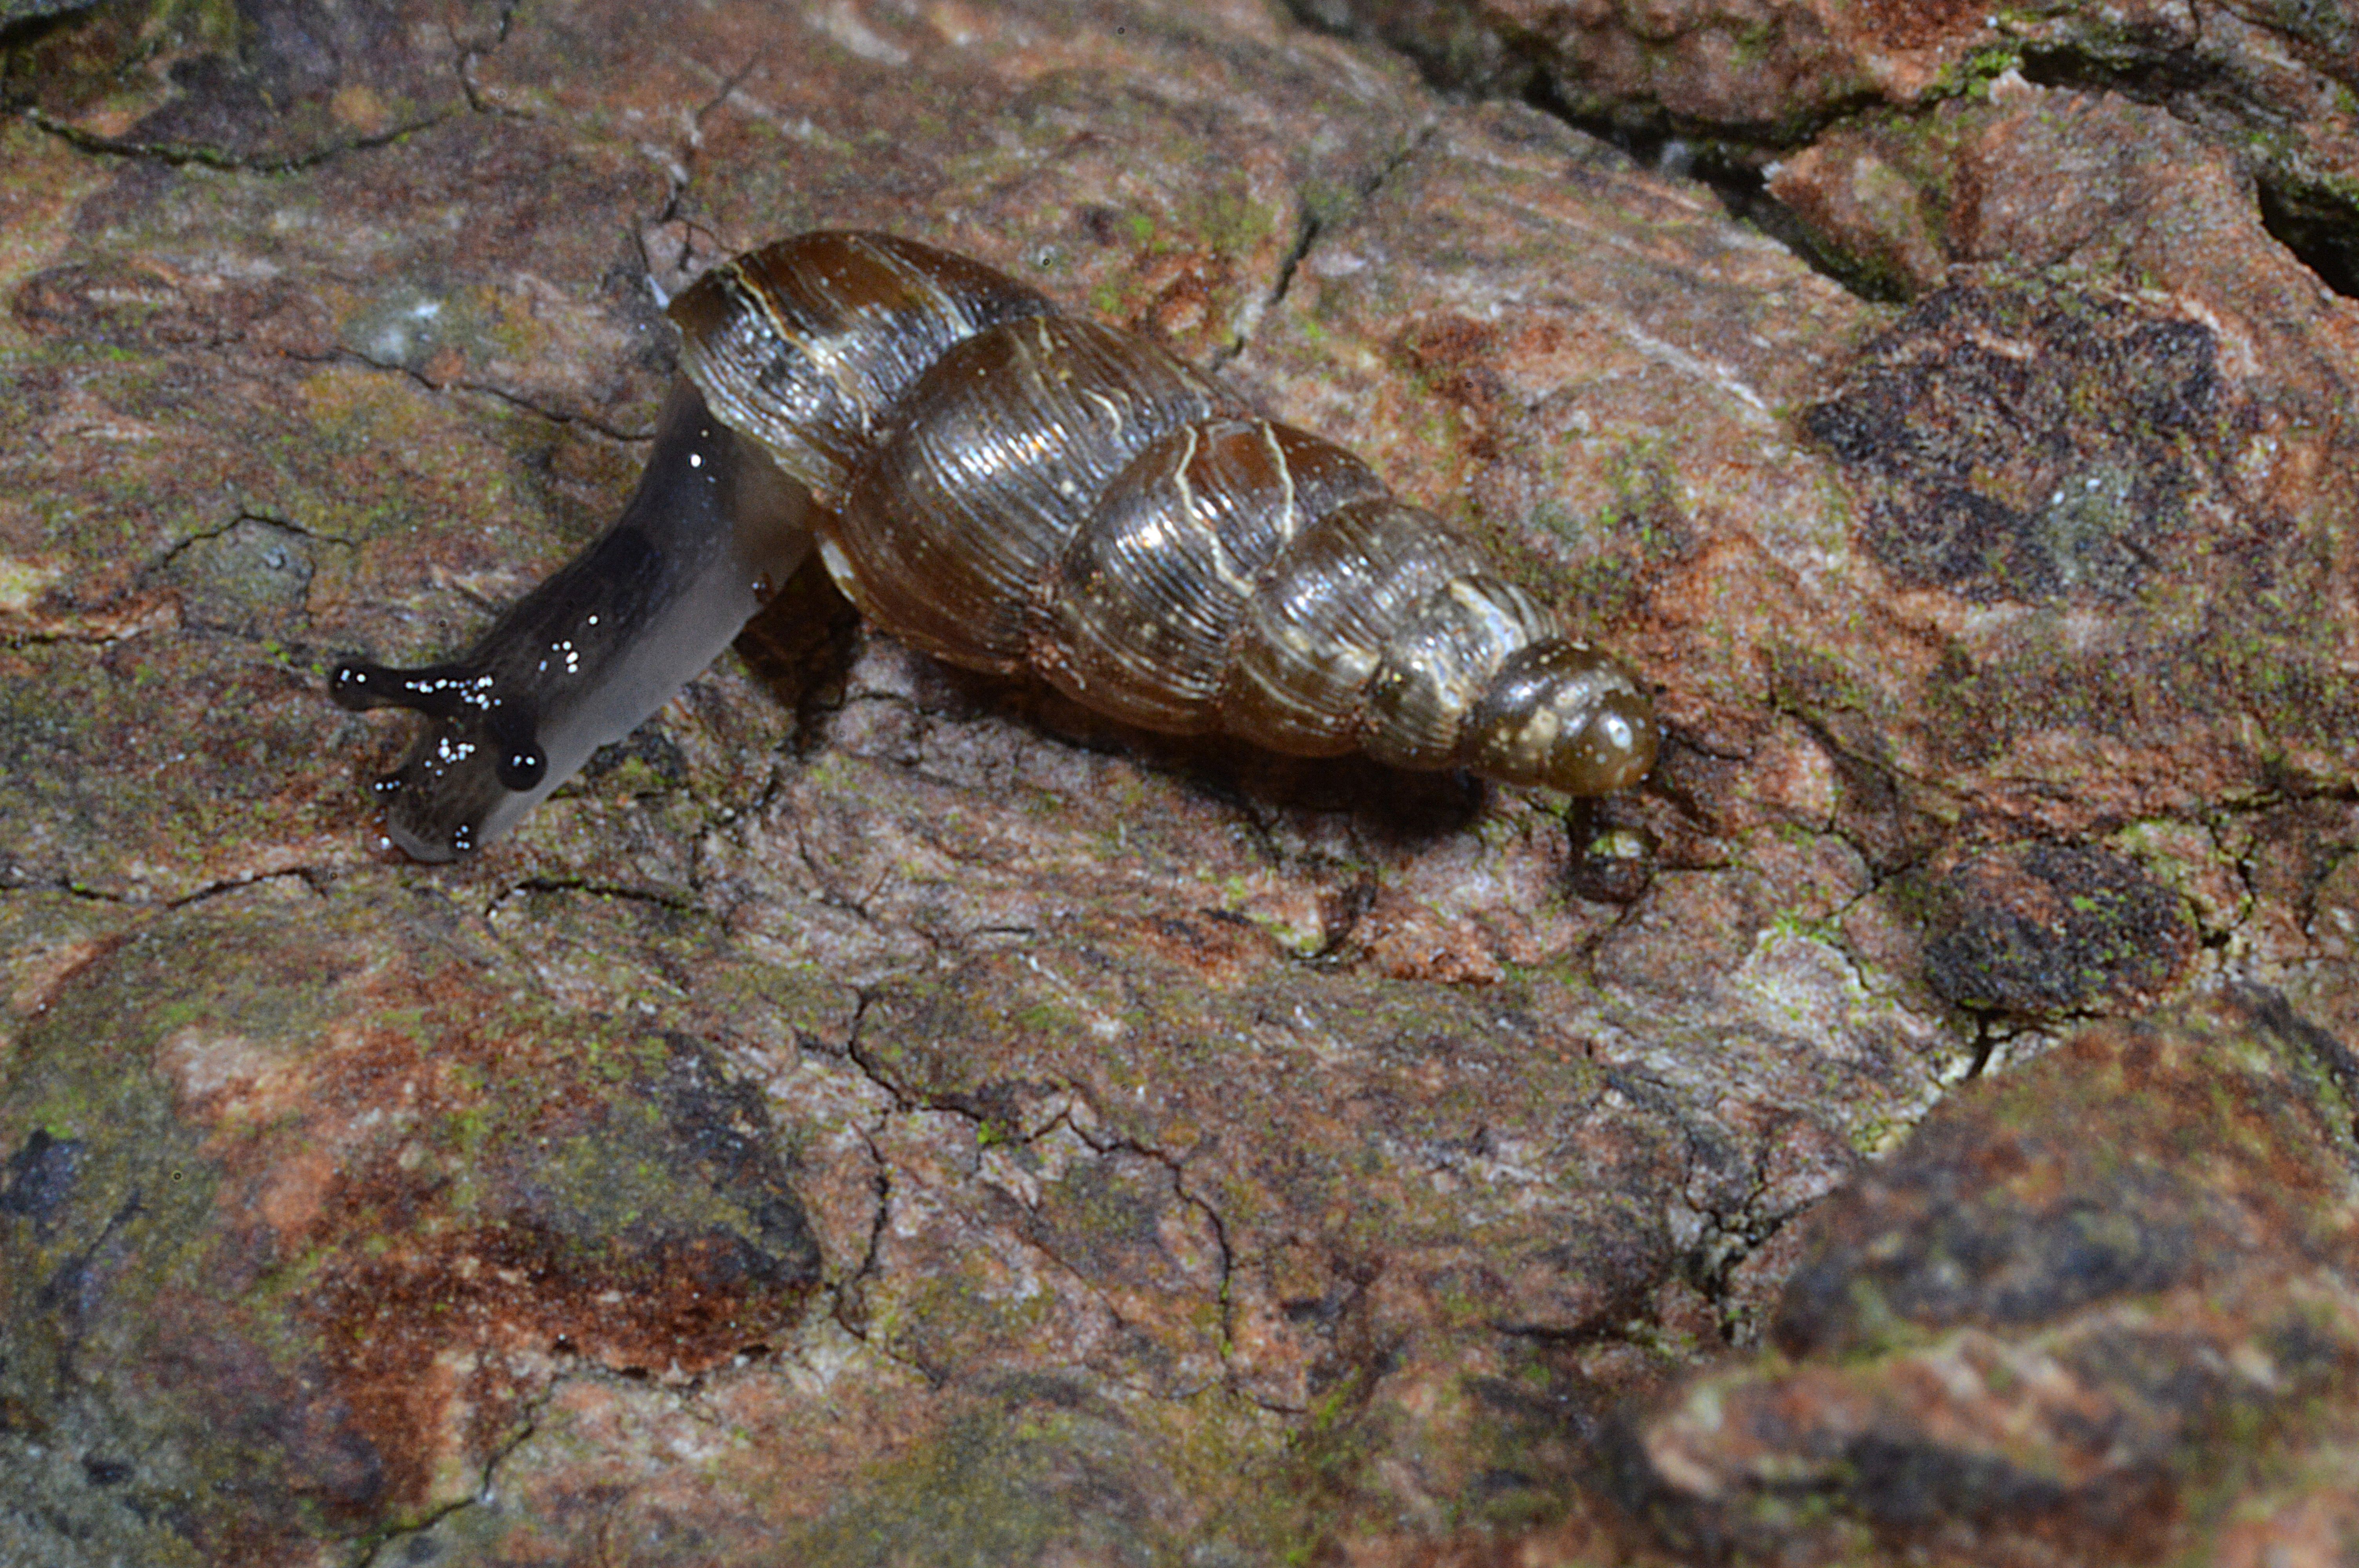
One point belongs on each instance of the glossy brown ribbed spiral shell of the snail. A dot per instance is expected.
(1006, 487)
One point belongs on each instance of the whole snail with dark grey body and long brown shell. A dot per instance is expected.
(1006, 489)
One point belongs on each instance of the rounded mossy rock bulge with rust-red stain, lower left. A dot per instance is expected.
(317, 1215)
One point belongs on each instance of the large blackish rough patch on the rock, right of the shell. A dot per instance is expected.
(2030, 442)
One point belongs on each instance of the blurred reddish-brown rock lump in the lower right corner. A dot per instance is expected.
(2051, 1324)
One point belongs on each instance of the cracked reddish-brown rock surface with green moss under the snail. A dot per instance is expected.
(883, 1116)
